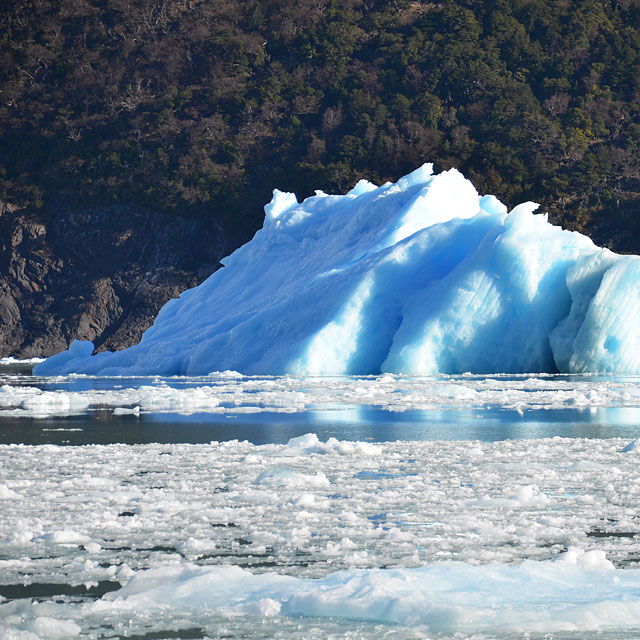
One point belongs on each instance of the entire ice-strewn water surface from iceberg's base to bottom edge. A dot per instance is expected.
(229, 506)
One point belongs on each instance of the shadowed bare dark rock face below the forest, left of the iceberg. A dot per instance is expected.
(100, 274)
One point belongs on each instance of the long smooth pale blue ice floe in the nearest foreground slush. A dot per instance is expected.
(582, 591)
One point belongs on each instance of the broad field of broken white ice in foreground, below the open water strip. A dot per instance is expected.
(492, 539)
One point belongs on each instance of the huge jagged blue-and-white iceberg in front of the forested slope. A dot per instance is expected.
(422, 276)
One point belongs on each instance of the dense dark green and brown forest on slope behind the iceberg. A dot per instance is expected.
(201, 107)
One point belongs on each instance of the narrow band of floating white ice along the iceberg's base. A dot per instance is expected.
(232, 393)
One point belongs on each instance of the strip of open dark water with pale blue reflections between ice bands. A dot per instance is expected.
(364, 424)
